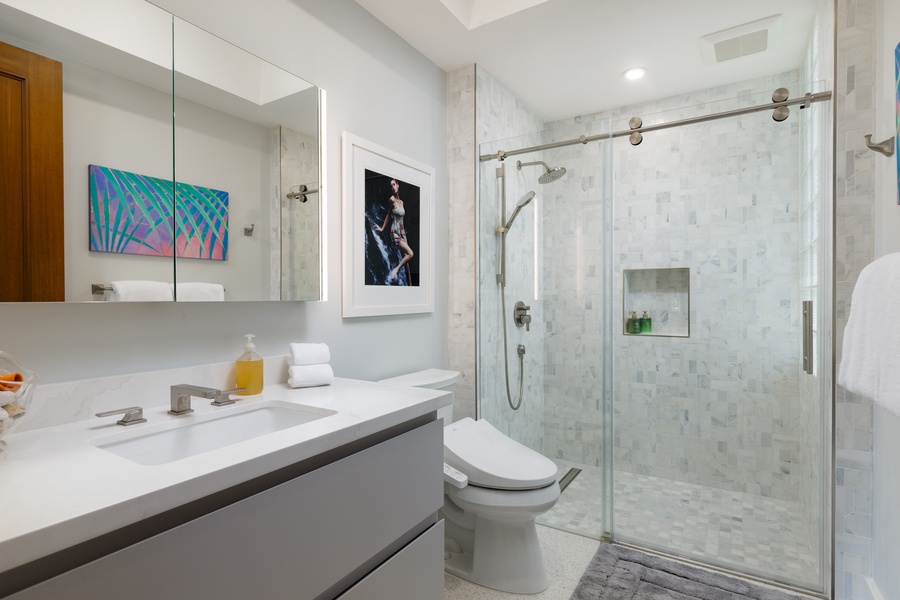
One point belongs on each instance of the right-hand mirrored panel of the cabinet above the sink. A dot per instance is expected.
(249, 129)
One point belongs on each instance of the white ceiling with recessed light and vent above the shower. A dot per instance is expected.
(565, 58)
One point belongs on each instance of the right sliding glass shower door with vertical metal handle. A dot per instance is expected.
(720, 419)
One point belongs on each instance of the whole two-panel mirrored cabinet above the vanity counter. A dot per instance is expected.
(219, 202)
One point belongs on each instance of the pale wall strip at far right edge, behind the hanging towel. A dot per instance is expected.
(886, 517)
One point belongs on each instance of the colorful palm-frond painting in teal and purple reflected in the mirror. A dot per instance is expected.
(137, 214)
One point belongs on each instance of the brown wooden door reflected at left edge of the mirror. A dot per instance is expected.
(31, 178)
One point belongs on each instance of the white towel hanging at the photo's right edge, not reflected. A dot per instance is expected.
(870, 363)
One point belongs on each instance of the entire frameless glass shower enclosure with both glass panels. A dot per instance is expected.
(706, 435)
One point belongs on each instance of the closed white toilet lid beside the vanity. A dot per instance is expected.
(491, 459)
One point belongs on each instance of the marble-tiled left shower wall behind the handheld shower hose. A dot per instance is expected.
(499, 117)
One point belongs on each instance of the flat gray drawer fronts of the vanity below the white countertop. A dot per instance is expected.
(363, 526)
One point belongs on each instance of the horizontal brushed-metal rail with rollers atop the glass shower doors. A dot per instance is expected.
(780, 114)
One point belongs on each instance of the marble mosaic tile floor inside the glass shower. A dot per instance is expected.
(749, 533)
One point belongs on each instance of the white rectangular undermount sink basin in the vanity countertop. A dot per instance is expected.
(188, 436)
